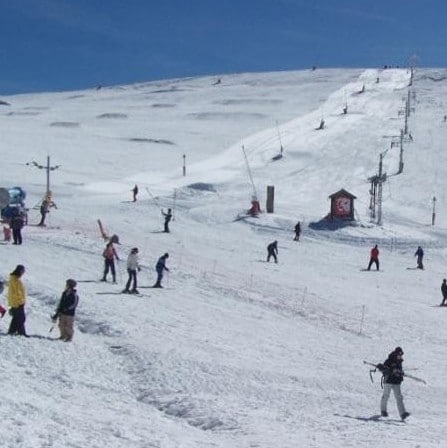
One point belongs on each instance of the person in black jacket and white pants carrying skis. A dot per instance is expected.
(393, 377)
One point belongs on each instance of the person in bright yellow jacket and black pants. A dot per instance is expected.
(16, 301)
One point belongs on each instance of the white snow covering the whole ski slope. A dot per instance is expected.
(234, 352)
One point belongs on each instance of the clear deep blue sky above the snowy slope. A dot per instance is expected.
(73, 44)
